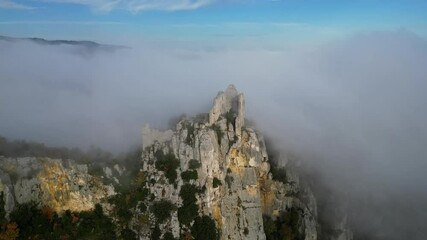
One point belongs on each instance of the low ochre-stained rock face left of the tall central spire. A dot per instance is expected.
(60, 184)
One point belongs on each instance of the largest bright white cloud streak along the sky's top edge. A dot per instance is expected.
(136, 6)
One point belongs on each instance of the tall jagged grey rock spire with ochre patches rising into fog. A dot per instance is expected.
(236, 155)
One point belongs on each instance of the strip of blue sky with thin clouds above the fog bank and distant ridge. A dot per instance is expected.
(273, 23)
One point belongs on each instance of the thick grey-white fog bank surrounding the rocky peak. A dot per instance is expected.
(353, 109)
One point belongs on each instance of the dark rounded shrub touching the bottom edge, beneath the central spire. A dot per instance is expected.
(204, 228)
